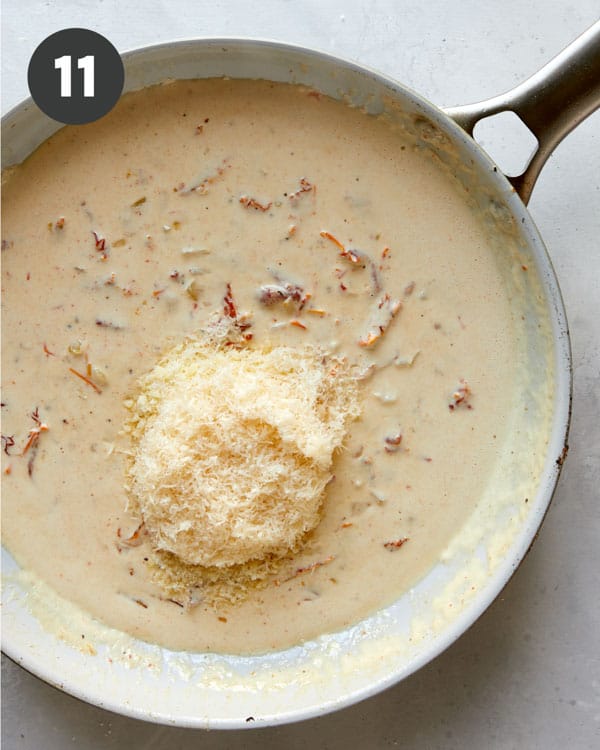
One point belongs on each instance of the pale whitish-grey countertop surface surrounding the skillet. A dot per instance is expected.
(527, 674)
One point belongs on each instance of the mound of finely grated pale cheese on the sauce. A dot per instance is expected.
(231, 452)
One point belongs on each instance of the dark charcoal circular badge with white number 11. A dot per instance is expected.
(75, 76)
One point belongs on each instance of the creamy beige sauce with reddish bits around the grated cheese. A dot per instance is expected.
(196, 185)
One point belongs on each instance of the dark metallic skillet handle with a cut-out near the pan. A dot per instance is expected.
(551, 102)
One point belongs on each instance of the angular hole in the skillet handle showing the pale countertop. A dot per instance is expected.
(507, 140)
